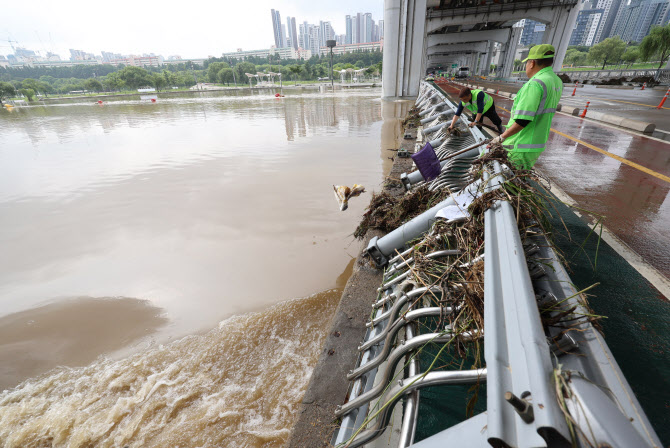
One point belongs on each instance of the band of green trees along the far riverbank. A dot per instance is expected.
(32, 81)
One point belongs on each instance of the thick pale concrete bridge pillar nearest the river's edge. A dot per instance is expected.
(404, 41)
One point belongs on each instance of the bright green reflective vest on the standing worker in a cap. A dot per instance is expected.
(536, 102)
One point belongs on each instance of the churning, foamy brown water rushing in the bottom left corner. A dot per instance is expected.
(238, 385)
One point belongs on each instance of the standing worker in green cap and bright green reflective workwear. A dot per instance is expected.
(533, 110)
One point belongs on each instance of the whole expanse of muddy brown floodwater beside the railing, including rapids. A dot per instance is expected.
(169, 270)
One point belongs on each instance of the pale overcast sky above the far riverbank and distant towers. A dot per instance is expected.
(152, 26)
